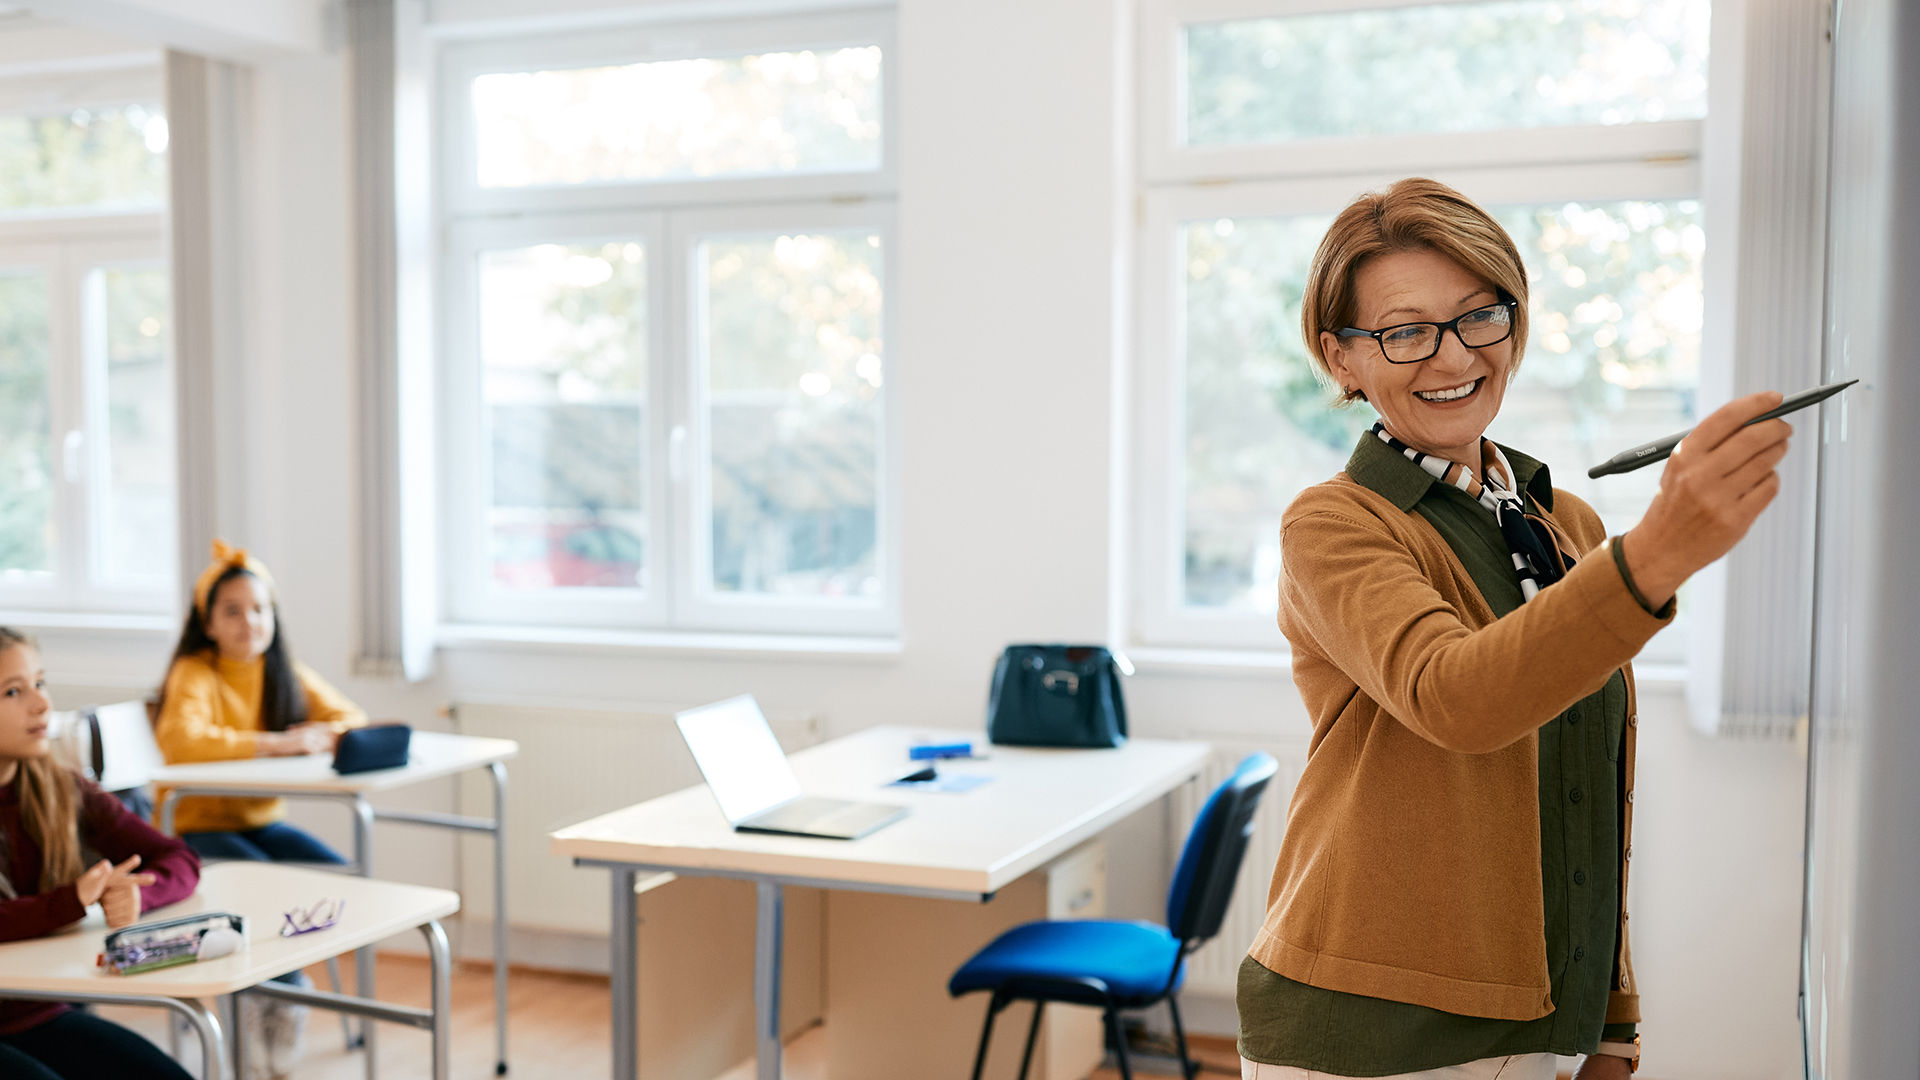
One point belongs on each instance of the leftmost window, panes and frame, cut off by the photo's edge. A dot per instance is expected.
(87, 449)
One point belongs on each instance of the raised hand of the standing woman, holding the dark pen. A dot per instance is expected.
(1717, 481)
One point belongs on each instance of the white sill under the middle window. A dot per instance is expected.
(475, 637)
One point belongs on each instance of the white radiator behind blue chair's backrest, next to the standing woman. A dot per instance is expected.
(1216, 966)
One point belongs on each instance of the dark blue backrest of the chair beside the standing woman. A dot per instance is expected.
(1211, 862)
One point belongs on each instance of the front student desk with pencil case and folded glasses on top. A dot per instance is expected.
(62, 968)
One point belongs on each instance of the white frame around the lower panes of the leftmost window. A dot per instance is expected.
(68, 249)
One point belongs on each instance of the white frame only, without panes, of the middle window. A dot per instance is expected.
(671, 218)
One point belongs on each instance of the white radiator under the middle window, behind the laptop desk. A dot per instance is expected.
(575, 764)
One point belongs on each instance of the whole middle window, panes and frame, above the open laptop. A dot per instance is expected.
(665, 380)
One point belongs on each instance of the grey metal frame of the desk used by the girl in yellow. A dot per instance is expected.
(364, 960)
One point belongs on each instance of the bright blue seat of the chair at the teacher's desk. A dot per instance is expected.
(1130, 958)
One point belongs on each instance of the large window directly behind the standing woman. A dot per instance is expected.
(1575, 122)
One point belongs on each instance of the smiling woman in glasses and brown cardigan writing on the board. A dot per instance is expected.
(1451, 898)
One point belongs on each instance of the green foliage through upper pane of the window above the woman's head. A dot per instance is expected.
(1447, 68)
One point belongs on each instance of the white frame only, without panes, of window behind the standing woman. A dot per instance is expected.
(1180, 185)
